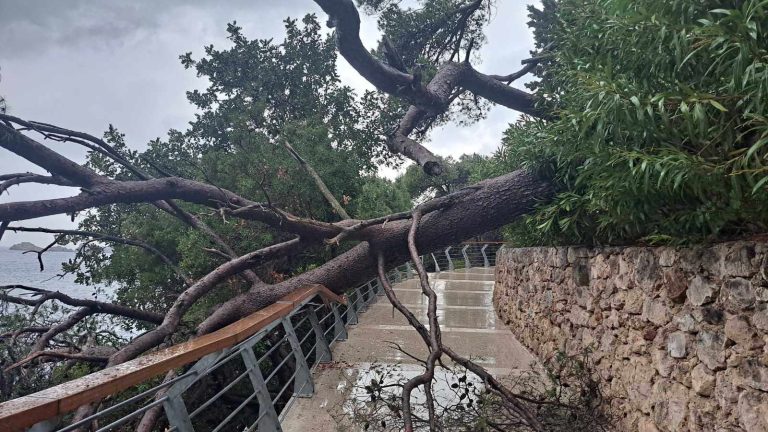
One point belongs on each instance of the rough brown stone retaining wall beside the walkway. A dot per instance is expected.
(679, 336)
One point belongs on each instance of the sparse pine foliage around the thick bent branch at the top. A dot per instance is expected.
(426, 34)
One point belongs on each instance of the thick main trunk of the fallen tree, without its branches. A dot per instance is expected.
(492, 204)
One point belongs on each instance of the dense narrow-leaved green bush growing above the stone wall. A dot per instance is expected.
(661, 126)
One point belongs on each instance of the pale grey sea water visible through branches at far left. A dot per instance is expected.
(24, 269)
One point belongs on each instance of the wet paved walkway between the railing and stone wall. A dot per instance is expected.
(468, 324)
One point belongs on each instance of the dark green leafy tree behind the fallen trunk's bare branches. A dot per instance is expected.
(260, 93)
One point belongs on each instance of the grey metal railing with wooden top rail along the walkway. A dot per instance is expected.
(244, 384)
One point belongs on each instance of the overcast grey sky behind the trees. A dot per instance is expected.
(83, 64)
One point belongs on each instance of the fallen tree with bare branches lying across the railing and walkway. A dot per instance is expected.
(382, 242)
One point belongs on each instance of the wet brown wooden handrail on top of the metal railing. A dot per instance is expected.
(23, 412)
